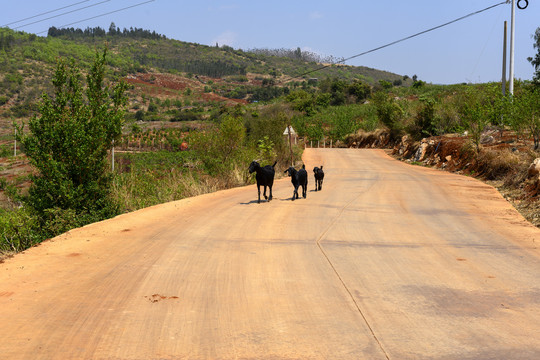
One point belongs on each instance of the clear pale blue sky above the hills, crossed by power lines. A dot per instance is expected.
(466, 51)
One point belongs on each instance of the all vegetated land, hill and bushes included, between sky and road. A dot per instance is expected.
(130, 126)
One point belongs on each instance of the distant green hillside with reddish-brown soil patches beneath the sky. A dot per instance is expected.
(220, 72)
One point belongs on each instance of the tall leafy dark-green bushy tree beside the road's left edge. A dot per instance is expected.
(69, 141)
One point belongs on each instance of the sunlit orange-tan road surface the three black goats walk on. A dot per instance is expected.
(389, 261)
